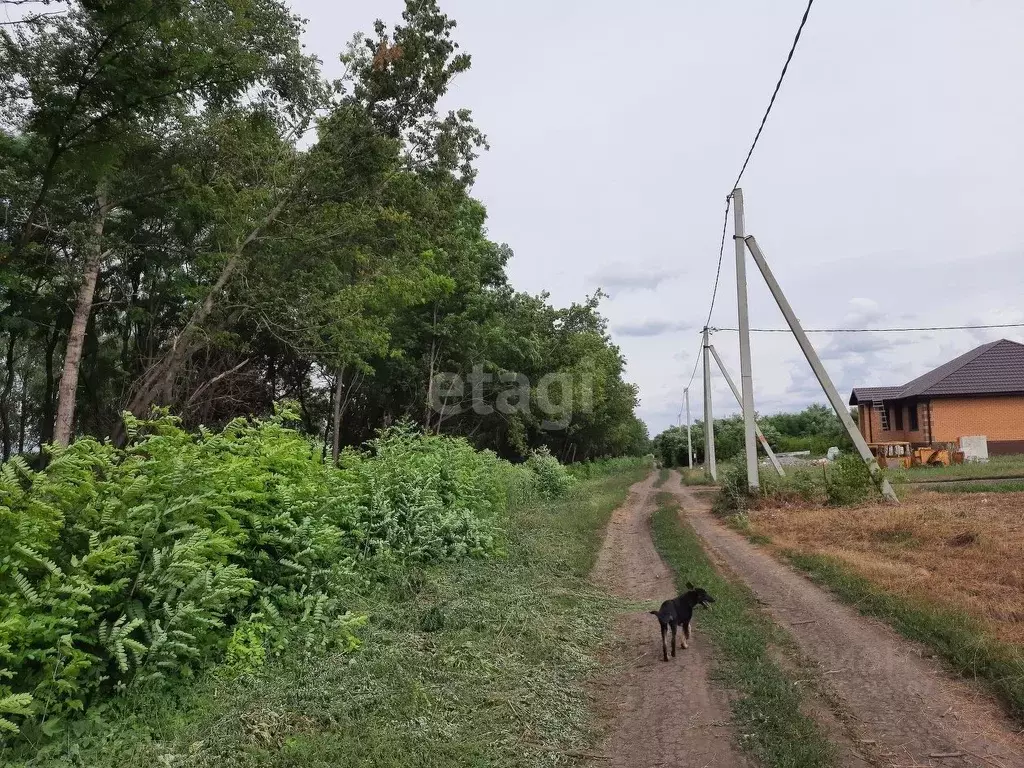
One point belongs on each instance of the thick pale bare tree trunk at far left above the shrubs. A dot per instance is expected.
(68, 390)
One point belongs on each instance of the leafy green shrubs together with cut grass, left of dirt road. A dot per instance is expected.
(193, 596)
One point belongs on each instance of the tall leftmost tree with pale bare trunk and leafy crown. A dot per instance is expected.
(90, 86)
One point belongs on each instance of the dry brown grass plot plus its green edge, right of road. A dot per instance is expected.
(938, 568)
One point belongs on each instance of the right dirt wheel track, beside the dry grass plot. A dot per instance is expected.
(903, 708)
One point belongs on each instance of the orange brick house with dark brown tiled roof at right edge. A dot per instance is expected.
(978, 394)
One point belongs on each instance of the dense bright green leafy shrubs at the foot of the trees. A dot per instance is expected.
(182, 549)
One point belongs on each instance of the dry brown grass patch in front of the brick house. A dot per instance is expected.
(962, 551)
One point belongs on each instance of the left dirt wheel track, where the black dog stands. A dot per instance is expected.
(660, 714)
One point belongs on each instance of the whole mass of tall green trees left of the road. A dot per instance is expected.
(195, 219)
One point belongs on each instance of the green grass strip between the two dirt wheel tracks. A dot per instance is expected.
(769, 708)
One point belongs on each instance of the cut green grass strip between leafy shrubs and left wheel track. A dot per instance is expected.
(476, 664)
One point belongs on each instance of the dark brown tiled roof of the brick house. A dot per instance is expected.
(997, 368)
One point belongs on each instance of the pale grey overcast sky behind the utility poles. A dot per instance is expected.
(887, 190)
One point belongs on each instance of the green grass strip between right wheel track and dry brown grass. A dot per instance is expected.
(956, 637)
